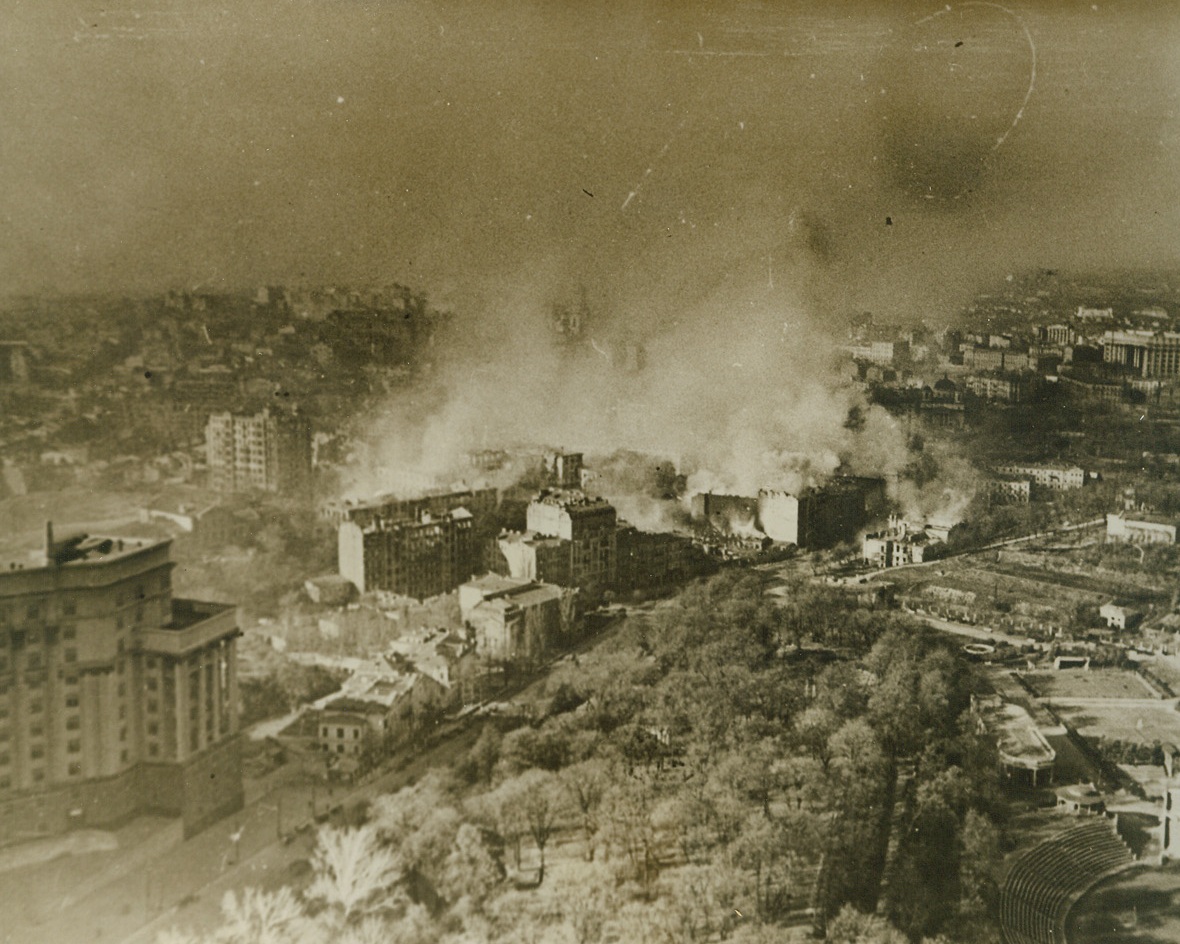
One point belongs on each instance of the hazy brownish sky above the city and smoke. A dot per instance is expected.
(653, 152)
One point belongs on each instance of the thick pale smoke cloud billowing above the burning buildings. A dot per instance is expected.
(738, 390)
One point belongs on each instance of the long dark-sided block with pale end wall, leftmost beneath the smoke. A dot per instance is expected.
(418, 558)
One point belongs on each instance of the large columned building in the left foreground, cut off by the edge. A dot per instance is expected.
(115, 697)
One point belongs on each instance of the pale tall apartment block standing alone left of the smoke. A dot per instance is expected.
(268, 451)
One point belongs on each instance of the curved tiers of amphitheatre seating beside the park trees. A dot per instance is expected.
(1046, 882)
